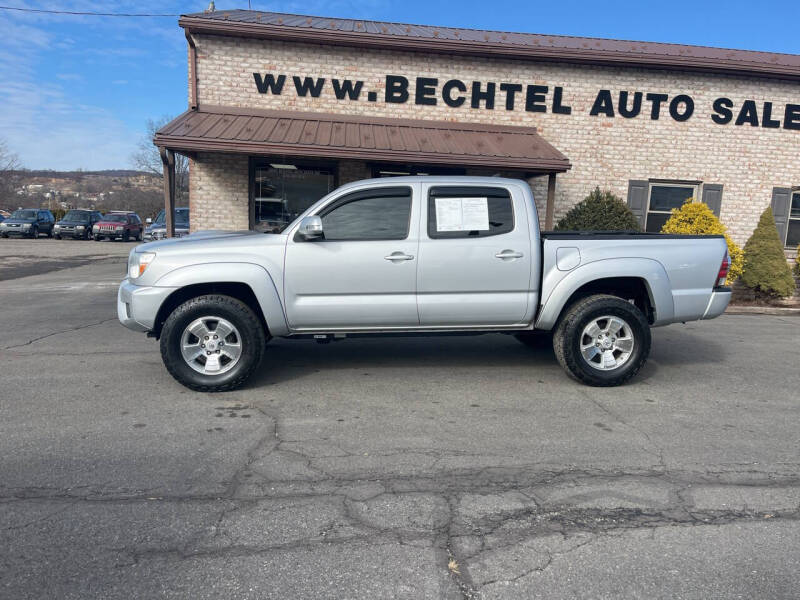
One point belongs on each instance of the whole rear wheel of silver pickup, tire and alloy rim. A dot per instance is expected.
(602, 340)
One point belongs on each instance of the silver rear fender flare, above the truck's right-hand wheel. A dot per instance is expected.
(650, 271)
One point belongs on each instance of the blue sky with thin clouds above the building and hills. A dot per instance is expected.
(76, 91)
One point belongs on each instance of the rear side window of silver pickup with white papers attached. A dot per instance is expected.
(467, 211)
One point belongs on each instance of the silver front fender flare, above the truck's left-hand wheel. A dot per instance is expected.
(253, 275)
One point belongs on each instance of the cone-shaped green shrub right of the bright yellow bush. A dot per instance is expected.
(765, 266)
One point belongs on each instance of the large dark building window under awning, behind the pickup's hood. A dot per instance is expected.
(283, 191)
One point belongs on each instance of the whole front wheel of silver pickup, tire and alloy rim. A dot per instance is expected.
(212, 343)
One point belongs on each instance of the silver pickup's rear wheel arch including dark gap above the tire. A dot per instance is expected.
(644, 281)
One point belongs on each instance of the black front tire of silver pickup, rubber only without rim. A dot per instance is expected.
(240, 315)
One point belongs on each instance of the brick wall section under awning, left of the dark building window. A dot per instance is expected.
(218, 191)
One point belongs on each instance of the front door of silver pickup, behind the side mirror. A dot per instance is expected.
(362, 273)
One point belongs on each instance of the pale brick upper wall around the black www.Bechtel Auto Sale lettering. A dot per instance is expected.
(605, 152)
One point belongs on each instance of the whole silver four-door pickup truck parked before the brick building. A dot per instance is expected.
(418, 254)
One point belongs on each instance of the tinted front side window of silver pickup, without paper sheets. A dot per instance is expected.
(382, 214)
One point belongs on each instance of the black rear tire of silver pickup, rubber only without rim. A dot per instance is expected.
(568, 332)
